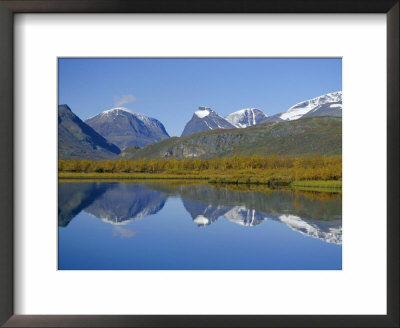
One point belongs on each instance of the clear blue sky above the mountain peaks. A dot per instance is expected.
(170, 90)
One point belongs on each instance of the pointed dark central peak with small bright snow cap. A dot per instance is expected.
(204, 119)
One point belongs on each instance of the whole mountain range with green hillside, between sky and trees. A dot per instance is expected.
(207, 134)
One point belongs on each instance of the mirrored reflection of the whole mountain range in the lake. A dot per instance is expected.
(317, 215)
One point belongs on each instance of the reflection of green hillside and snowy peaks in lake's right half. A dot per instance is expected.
(313, 214)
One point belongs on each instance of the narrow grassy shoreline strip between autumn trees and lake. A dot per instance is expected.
(272, 181)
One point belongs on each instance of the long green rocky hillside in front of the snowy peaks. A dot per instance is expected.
(308, 136)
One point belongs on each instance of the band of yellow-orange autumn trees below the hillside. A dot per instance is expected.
(319, 167)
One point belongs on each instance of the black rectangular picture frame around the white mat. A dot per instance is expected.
(10, 7)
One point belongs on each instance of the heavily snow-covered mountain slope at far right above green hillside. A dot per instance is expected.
(326, 105)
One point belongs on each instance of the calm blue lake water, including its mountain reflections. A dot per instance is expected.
(175, 226)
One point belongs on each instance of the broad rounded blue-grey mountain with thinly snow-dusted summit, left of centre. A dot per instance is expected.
(126, 128)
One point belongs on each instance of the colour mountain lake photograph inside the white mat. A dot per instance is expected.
(190, 187)
